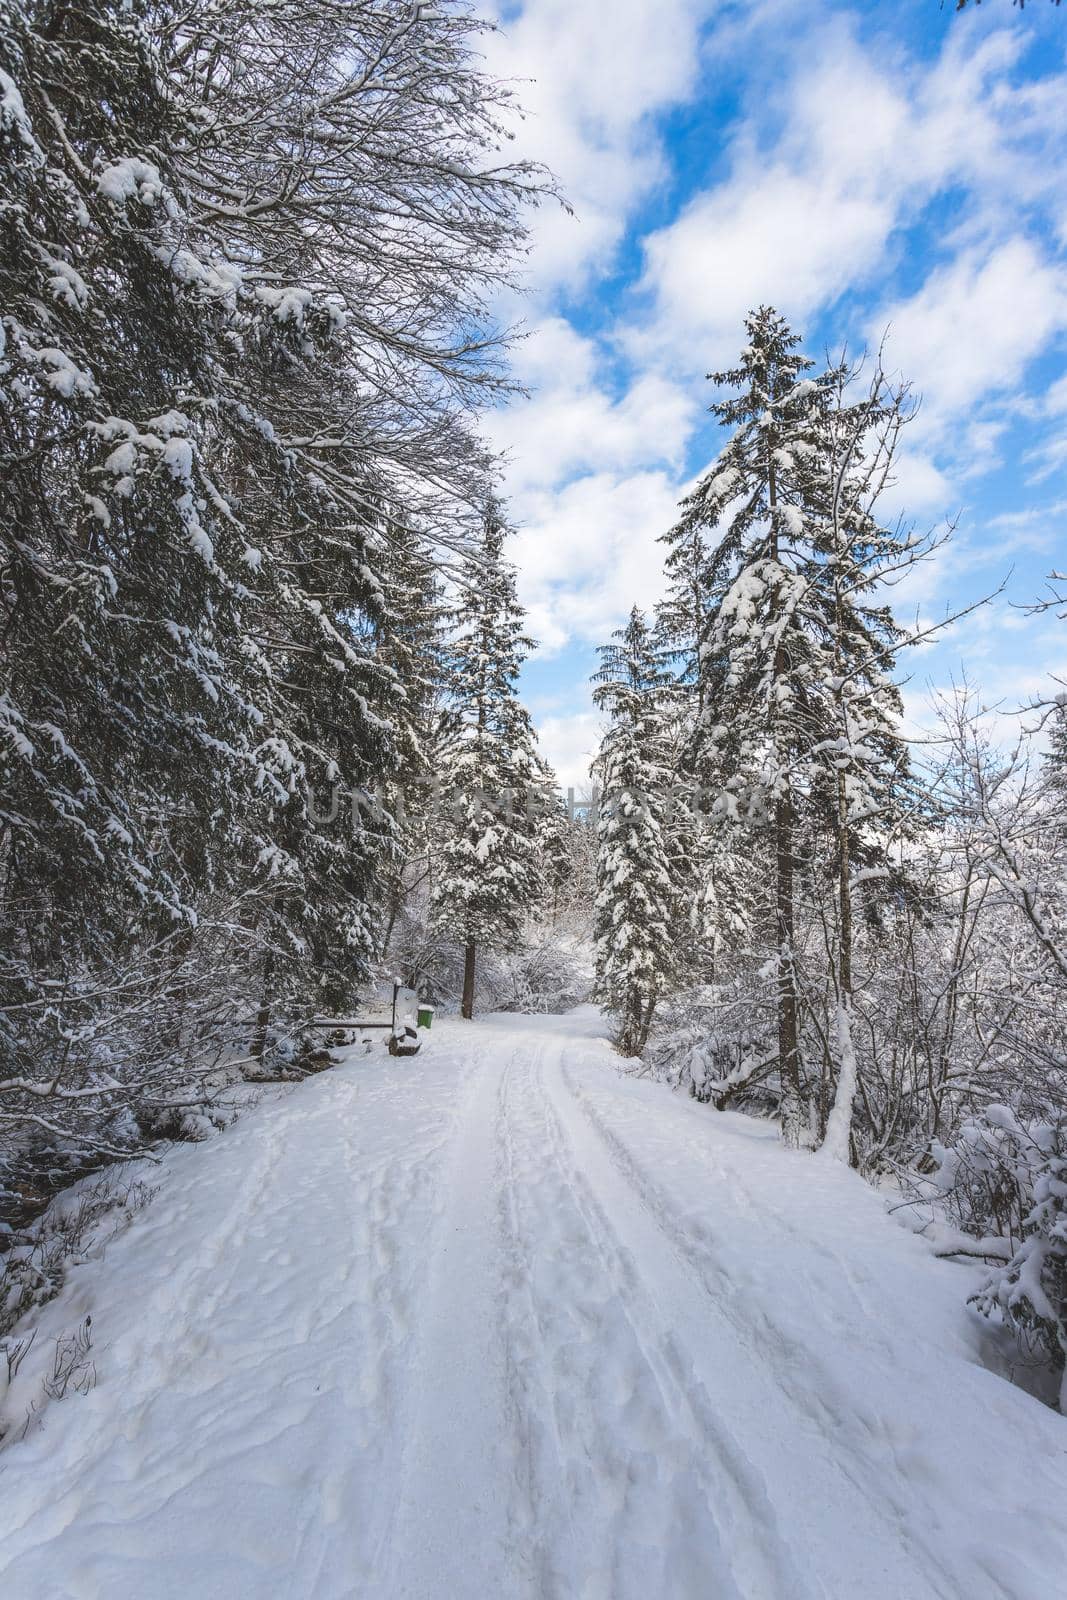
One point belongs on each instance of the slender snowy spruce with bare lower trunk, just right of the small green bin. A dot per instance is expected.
(486, 858)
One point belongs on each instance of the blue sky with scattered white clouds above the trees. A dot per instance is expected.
(874, 167)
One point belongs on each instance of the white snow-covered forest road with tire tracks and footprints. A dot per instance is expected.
(498, 1322)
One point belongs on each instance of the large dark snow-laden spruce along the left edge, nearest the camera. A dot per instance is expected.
(127, 727)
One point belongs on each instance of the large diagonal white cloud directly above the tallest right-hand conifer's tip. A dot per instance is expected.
(812, 214)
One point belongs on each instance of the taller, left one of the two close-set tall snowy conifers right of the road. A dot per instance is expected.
(730, 538)
